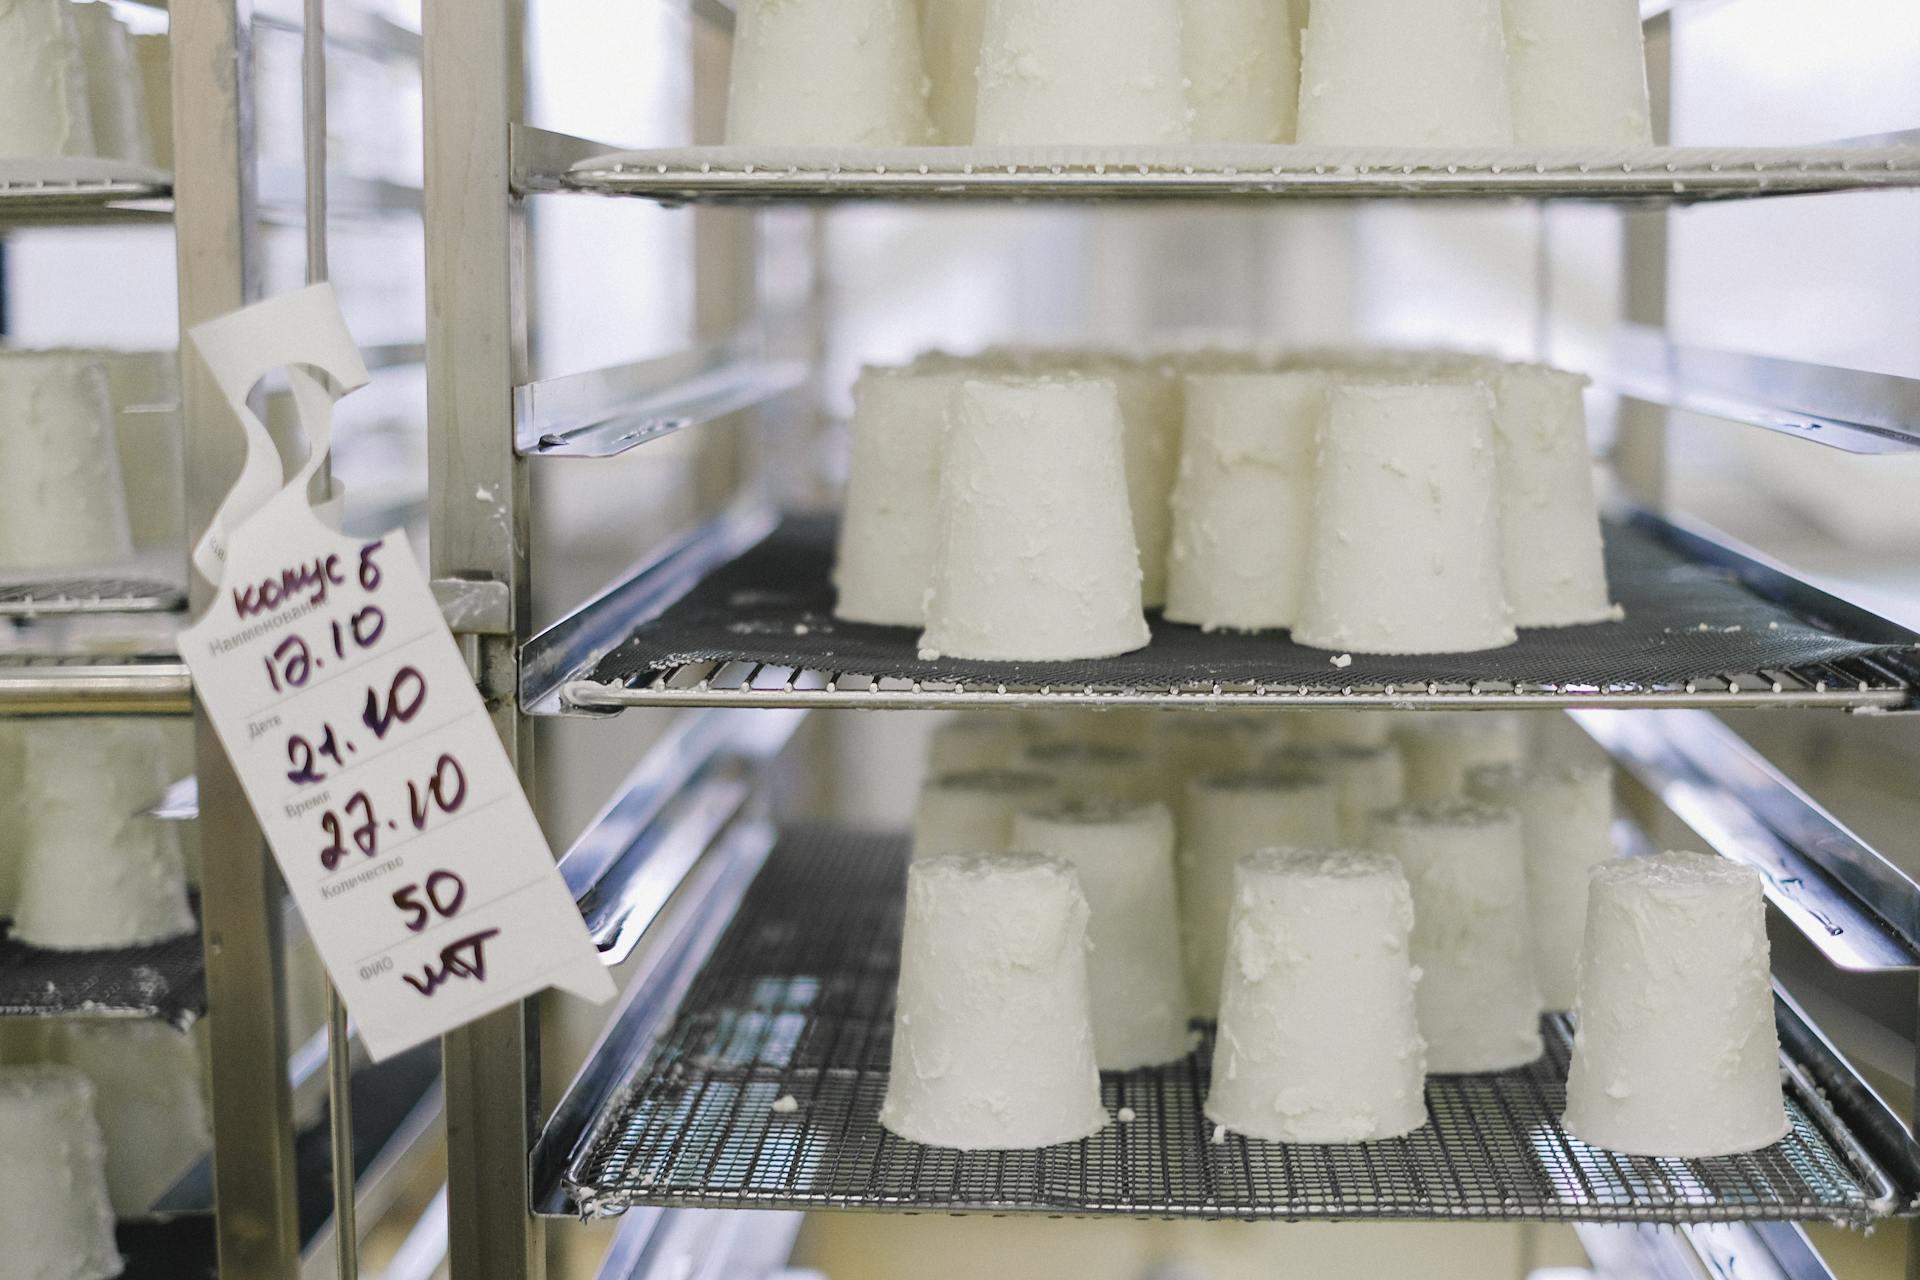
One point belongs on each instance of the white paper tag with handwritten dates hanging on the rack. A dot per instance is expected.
(362, 742)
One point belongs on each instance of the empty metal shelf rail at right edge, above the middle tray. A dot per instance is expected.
(1838, 408)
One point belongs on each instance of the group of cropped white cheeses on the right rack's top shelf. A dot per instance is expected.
(1462, 74)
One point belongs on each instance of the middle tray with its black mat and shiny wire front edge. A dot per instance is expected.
(1698, 632)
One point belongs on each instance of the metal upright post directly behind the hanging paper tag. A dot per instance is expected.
(241, 893)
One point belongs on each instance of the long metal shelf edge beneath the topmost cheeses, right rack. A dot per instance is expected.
(544, 162)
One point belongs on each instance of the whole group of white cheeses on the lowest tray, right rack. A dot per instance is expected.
(1345, 939)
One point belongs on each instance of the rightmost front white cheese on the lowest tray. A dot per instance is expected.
(1677, 1051)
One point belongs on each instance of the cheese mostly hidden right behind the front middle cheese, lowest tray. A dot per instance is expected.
(1228, 817)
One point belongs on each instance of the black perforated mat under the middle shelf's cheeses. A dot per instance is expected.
(1687, 621)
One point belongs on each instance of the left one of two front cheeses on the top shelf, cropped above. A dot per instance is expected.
(1082, 74)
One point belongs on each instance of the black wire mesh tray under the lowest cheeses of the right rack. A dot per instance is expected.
(798, 1001)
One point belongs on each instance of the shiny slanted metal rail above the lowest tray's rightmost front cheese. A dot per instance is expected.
(1854, 905)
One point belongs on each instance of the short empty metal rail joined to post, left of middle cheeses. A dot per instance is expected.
(608, 412)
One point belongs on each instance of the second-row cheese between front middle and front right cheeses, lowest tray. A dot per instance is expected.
(1472, 937)
